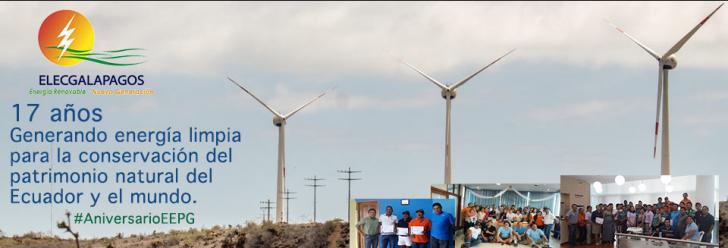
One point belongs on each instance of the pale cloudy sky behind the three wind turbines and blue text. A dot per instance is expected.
(576, 97)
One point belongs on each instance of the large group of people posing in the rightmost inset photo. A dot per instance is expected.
(667, 219)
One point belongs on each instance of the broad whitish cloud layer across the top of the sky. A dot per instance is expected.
(339, 39)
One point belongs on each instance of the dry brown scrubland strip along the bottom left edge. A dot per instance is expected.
(332, 234)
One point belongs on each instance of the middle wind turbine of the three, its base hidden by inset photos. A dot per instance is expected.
(448, 92)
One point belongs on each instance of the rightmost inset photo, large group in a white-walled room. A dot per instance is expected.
(639, 211)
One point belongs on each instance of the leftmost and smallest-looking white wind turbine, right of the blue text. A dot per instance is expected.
(280, 121)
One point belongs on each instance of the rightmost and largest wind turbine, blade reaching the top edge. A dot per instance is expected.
(666, 62)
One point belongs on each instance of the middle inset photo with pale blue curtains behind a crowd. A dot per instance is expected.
(493, 215)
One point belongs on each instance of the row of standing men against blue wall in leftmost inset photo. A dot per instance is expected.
(388, 231)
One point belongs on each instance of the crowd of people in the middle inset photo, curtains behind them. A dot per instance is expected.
(507, 225)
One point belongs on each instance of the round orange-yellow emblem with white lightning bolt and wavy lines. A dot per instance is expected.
(66, 38)
